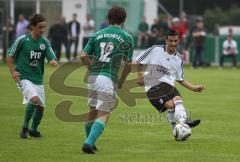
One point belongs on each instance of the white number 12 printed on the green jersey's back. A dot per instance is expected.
(106, 50)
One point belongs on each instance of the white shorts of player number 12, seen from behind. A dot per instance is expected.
(101, 93)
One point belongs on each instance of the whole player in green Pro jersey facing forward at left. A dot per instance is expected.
(26, 64)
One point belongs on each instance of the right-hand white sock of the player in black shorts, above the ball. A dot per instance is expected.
(180, 113)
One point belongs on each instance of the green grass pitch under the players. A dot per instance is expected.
(128, 138)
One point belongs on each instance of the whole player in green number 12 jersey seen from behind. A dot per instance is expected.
(103, 56)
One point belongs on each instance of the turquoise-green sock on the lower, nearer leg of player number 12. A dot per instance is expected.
(96, 132)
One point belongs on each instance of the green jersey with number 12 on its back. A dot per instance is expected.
(108, 47)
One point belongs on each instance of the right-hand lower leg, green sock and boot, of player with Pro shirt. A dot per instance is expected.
(36, 121)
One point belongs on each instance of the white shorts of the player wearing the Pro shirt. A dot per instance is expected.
(29, 90)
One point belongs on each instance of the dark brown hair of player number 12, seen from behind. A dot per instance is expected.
(116, 15)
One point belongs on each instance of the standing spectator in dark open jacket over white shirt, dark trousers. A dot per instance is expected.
(74, 31)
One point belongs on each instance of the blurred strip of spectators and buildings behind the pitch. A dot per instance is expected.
(209, 32)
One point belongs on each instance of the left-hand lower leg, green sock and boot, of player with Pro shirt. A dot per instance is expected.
(27, 118)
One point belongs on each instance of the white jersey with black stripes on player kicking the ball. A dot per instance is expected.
(161, 66)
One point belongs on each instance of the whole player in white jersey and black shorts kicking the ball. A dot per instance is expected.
(164, 67)
